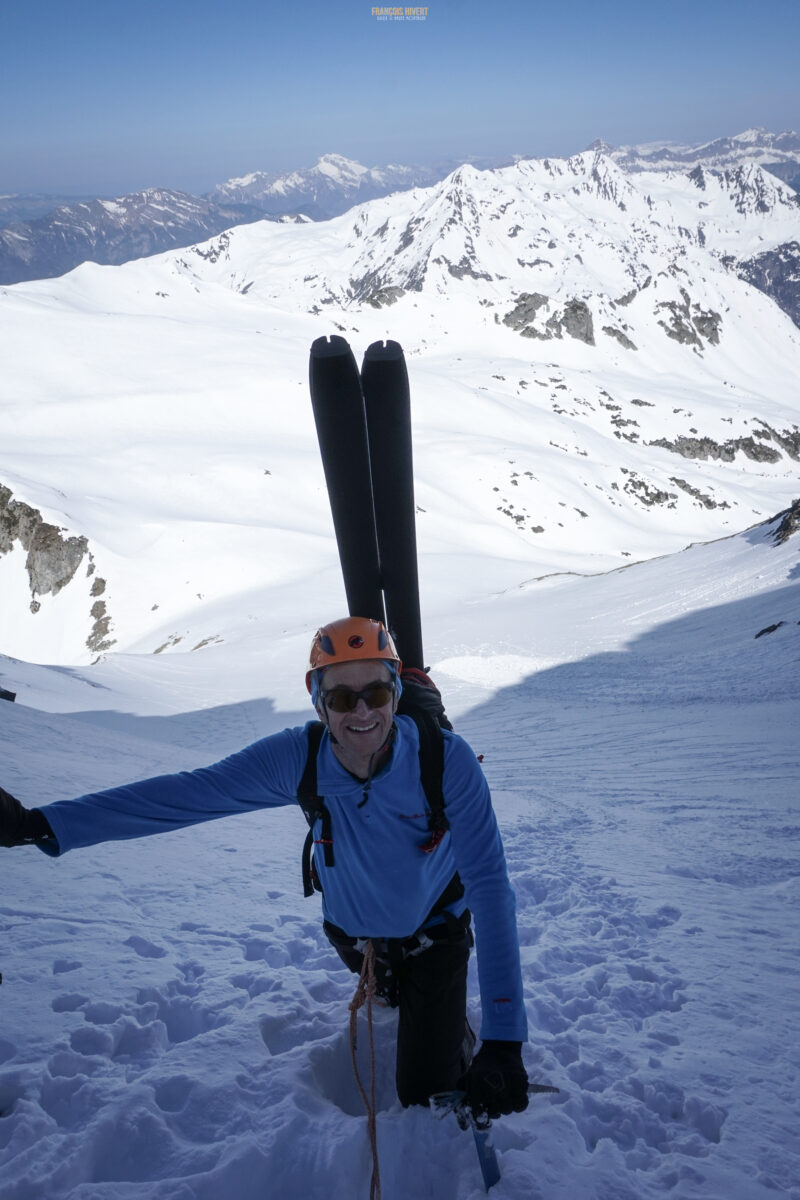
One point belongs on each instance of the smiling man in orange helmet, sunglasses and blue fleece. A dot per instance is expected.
(386, 875)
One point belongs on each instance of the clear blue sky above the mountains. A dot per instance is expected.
(103, 97)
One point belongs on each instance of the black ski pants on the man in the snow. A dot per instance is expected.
(430, 989)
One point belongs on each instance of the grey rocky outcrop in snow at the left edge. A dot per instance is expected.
(53, 561)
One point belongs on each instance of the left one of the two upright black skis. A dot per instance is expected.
(342, 433)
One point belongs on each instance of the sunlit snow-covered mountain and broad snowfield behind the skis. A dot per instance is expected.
(576, 333)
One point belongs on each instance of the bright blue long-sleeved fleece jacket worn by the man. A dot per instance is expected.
(382, 884)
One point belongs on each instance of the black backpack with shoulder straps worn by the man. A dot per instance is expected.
(422, 701)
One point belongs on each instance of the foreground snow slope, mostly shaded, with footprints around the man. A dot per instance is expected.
(176, 1024)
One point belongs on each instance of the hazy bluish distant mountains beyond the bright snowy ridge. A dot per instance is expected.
(116, 231)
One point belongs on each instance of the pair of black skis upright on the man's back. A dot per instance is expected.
(364, 427)
